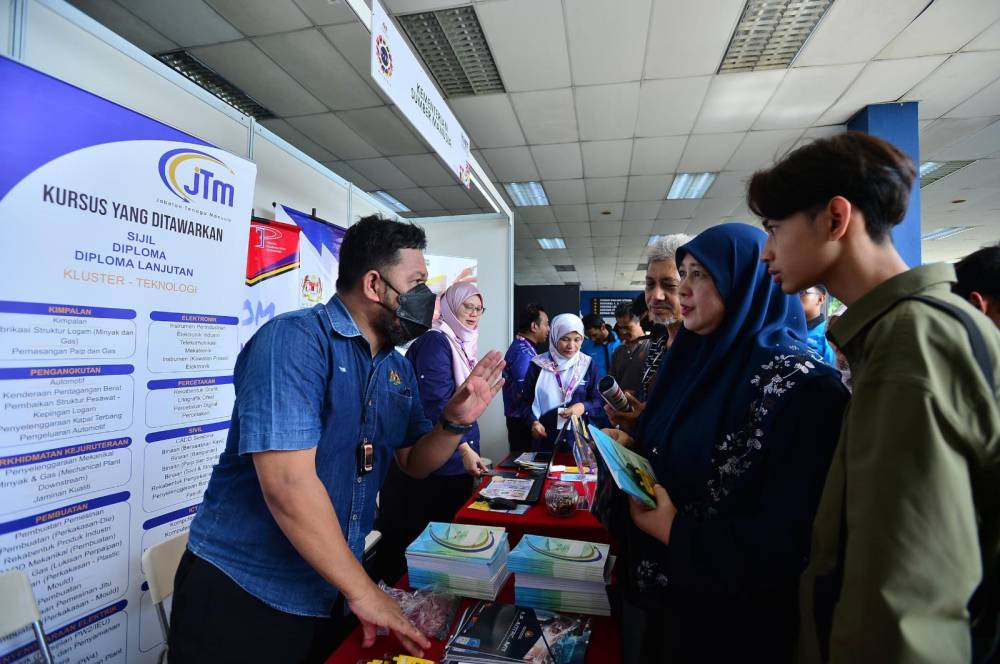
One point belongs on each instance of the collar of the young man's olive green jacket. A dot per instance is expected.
(883, 297)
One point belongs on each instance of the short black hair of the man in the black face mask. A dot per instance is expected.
(373, 244)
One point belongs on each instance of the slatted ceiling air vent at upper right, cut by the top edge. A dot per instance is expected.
(771, 33)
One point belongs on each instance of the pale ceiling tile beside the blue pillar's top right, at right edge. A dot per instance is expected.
(960, 77)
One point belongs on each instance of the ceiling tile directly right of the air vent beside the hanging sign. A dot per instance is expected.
(519, 45)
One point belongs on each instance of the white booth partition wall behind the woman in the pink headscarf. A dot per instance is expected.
(486, 240)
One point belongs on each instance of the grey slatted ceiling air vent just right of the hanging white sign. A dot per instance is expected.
(454, 50)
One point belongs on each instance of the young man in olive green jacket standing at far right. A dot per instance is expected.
(909, 522)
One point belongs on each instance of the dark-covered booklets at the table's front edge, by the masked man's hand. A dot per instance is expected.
(491, 633)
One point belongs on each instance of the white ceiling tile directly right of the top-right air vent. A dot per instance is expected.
(868, 26)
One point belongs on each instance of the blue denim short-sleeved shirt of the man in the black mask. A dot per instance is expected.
(305, 379)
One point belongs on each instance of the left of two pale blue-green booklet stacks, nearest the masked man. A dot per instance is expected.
(461, 559)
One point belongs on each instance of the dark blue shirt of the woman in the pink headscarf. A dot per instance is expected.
(431, 358)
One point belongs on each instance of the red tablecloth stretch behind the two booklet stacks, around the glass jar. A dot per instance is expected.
(537, 521)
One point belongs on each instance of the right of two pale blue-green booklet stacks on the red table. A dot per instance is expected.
(561, 575)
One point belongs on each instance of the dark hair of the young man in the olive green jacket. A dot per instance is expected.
(873, 175)
